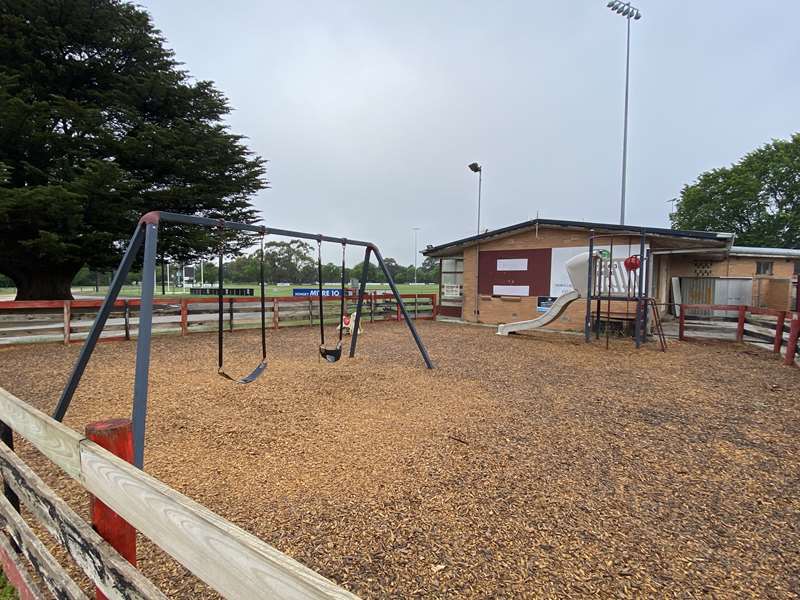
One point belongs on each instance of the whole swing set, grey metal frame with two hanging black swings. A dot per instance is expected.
(146, 235)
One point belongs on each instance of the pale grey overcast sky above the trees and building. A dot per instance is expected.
(370, 111)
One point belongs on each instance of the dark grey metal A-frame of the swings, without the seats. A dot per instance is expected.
(146, 235)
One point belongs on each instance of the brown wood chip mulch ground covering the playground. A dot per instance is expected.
(523, 466)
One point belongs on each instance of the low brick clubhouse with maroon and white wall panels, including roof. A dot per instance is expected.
(515, 273)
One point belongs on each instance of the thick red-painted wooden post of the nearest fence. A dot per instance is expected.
(116, 436)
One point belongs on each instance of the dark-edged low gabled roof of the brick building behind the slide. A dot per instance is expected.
(703, 236)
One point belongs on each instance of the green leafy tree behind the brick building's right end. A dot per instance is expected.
(758, 198)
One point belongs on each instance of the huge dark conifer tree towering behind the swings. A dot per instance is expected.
(99, 124)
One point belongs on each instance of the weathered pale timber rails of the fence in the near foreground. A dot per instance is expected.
(230, 560)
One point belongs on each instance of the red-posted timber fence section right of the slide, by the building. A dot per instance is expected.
(777, 330)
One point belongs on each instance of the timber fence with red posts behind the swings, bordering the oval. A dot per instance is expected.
(69, 321)
